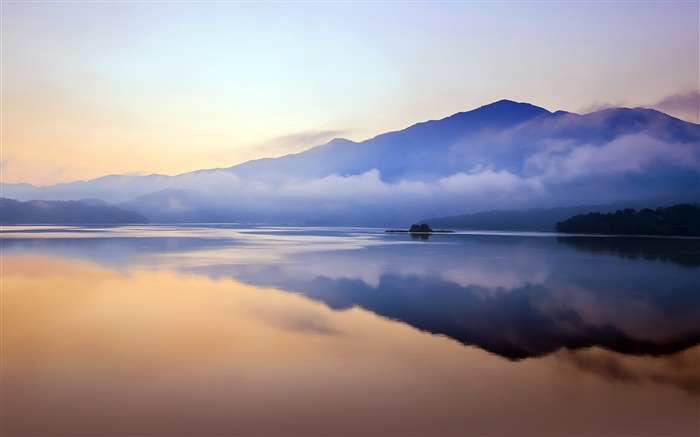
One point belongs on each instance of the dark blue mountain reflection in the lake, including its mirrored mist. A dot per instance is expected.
(518, 300)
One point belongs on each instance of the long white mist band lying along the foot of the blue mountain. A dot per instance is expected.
(358, 199)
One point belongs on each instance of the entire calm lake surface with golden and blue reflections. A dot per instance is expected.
(212, 330)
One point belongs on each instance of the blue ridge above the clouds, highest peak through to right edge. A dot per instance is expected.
(501, 135)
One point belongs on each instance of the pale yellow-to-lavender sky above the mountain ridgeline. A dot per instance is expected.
(96, 88)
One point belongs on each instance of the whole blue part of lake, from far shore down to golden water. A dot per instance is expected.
(516, 296)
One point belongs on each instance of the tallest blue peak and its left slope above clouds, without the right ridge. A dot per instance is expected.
(425, 151)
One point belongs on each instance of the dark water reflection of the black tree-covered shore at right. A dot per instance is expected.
(682, 251)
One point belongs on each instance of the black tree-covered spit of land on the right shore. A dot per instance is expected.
(678, 220)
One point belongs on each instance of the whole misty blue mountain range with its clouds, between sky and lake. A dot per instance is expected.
(505, 155)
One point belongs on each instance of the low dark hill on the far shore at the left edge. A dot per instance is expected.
(64, 212)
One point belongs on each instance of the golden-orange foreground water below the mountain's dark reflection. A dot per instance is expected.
(92, 351)
